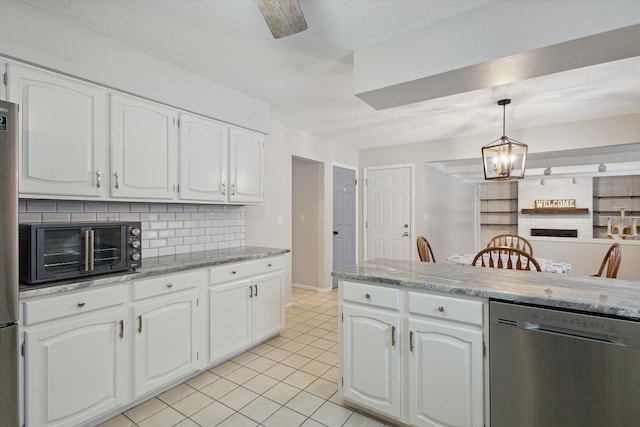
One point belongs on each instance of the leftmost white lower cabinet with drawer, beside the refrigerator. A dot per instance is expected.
(76, 364)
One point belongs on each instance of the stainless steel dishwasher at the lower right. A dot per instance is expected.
(554, 368)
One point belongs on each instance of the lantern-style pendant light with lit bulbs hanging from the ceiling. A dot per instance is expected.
(505, 158)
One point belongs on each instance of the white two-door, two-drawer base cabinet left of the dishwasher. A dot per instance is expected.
(413, 356)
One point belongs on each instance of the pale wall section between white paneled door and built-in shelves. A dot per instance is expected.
(449, 214)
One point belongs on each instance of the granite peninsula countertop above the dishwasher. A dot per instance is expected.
(584, 293)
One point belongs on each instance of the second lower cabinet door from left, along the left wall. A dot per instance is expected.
(165, 340)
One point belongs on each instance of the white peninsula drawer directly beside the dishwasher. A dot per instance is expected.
(458, 309)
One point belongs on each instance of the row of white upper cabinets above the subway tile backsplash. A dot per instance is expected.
(81, 141)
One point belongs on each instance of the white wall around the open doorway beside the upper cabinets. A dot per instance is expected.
(281, 146)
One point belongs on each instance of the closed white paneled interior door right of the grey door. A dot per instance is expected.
(388, 217)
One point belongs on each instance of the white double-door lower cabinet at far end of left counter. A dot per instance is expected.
(246, 305)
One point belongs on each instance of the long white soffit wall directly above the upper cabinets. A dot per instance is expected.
(31, 35)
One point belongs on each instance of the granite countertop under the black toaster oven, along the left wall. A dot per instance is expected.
(155, 266)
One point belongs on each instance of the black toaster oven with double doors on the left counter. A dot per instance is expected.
(51, 252)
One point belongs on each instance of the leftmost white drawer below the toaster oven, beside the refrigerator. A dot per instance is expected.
(55, 307)
